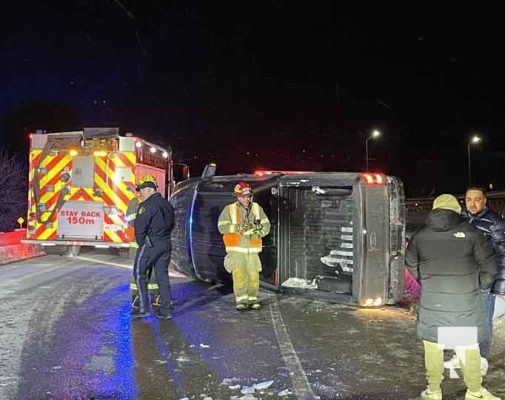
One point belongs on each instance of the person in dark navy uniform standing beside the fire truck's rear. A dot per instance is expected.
(153, 226)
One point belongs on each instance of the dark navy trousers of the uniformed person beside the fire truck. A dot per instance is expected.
(157, 256)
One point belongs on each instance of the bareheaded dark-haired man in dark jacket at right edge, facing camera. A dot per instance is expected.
(492, 226)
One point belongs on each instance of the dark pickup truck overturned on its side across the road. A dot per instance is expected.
(337, 236)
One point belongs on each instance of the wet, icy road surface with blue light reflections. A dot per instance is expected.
(66, 334)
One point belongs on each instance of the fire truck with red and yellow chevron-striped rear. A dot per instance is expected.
(81, 183)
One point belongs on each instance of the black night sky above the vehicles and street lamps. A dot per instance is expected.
(277, 84)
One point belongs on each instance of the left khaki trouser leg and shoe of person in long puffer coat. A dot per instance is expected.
(434, 363)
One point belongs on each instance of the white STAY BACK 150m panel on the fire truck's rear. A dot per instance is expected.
(81, 219)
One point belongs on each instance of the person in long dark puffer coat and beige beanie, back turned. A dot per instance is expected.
(453, 262)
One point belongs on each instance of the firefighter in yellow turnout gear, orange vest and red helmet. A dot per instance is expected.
(243, 223)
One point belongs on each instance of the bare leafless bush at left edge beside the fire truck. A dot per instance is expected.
(13, 189)
